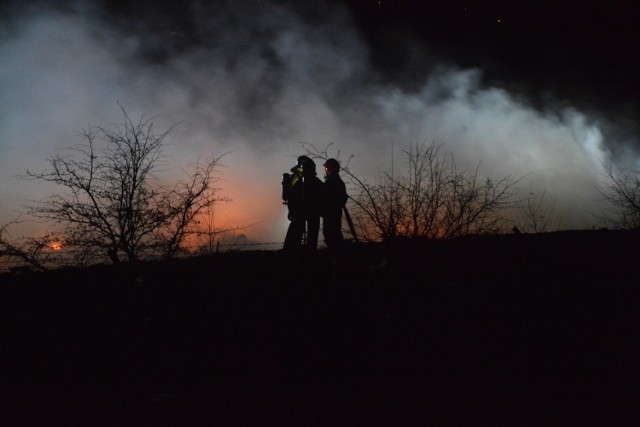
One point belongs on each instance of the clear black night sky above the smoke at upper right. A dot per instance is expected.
(581, 50)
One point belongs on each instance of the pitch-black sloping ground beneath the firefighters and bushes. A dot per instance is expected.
(538, 329)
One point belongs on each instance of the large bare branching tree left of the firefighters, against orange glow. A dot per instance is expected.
(113, 203)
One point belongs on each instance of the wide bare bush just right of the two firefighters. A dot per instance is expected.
(427, 197)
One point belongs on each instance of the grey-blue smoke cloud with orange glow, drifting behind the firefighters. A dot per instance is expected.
(254, 84)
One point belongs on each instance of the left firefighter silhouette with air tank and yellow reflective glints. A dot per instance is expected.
(302, 191)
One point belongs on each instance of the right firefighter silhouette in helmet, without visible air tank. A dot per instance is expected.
(335, 200)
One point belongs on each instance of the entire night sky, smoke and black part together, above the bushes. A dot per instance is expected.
(543, 90)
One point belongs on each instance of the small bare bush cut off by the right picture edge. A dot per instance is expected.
(623, 193)
